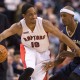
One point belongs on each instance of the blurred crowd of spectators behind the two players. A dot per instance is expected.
(47, 9)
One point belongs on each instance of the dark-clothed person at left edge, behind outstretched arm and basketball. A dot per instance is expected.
(4, 24)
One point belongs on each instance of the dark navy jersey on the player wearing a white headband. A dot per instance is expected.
(76, 36)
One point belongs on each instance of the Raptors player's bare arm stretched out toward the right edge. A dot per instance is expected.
(48, 26)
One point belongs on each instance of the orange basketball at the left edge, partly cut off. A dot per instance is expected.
(3, 53)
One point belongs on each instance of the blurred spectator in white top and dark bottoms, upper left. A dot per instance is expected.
(11, 7)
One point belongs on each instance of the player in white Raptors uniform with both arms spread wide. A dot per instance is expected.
(34, 49)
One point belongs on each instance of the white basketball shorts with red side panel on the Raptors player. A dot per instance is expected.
(32, 58)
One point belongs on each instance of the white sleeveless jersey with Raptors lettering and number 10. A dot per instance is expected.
(37, 39)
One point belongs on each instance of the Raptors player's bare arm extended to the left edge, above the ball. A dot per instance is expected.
(14, 29)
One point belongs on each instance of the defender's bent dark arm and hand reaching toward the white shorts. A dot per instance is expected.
(60, 58)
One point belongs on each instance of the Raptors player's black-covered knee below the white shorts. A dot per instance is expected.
(26, 74)
